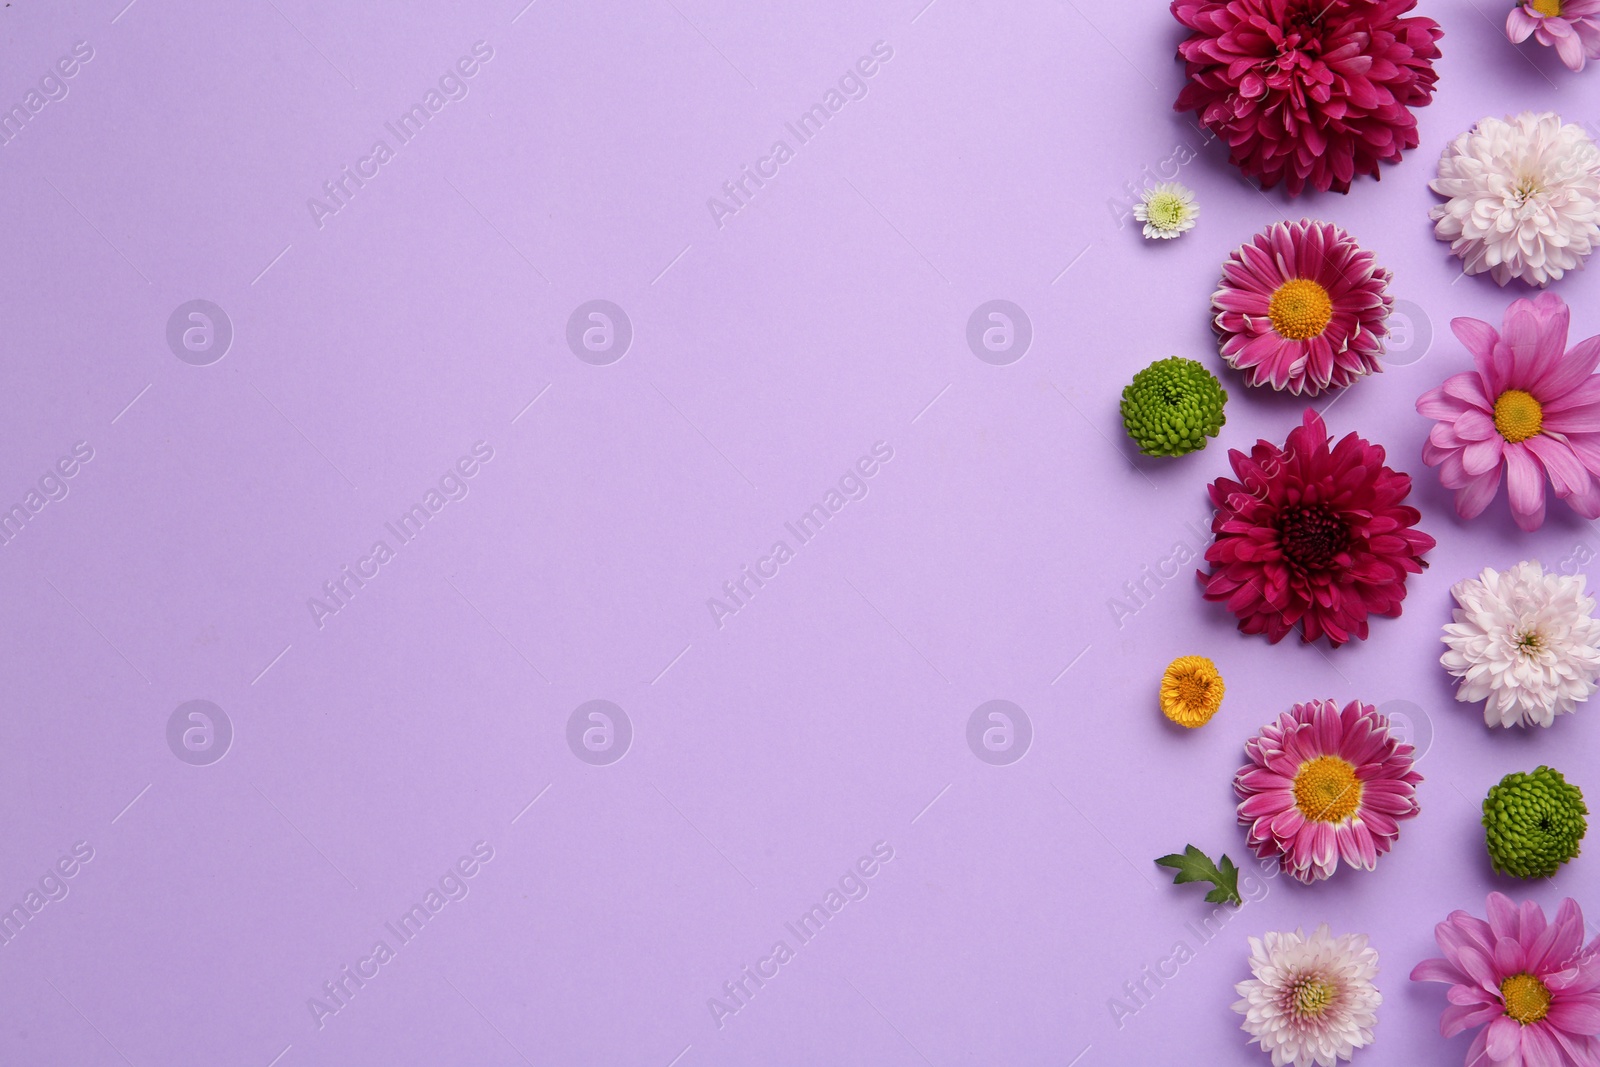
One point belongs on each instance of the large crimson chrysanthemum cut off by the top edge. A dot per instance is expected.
(1308, 92)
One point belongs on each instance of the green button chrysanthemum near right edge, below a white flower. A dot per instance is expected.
(1535, 823)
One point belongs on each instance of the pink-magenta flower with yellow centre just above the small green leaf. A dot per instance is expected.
(1326, 785)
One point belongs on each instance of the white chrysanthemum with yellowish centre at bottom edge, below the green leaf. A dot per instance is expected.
(1313, 1001)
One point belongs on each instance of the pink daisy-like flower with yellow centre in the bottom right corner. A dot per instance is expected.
(1532, 986)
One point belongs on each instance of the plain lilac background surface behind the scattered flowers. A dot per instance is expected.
(828, 714)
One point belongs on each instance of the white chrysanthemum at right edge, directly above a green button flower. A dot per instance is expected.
(1524, 642)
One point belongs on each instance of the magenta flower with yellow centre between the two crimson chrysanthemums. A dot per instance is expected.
(1303, 308)
